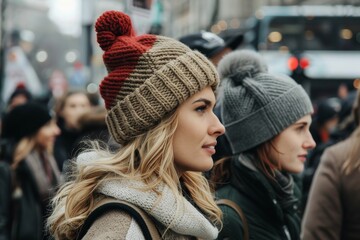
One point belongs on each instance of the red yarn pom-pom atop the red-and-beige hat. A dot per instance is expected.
(110, 25)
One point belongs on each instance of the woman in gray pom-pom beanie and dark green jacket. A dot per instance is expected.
(267, 119)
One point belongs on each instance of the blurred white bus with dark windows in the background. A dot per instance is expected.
(318, 45)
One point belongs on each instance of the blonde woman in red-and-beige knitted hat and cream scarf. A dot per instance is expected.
(159, 95)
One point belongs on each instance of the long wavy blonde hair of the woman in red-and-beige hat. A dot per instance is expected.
(148, 158)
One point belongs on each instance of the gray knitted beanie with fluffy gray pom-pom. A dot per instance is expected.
(257, 105)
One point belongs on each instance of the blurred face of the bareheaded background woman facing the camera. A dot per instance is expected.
(75, 105)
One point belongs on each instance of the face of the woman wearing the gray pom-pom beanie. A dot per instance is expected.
(292, 146)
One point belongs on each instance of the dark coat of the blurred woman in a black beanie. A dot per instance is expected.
(30, 191)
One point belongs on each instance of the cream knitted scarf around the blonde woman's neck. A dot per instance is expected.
(181, 216)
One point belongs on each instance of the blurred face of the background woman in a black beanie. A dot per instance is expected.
(45, 137)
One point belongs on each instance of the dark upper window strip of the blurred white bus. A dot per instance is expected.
(312, 33)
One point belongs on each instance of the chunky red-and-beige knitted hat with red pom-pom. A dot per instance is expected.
(149, 76)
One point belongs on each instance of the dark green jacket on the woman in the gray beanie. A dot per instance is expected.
(266, 217)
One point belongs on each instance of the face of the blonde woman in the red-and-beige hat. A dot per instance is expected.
(195, 137)
